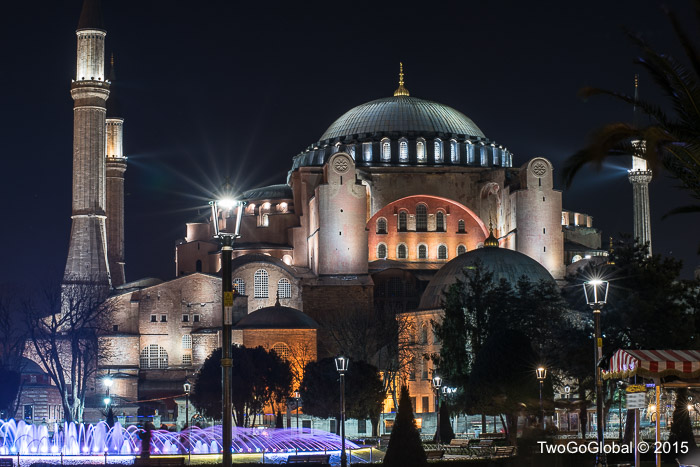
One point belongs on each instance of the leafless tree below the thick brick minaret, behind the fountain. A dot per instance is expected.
(63, 336)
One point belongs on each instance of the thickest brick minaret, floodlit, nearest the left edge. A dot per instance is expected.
(87, 252)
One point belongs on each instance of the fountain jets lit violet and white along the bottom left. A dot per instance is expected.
(20, 438)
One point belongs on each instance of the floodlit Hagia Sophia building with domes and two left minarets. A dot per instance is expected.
(383, 209)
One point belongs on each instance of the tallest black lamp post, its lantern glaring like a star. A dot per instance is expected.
(226, 241)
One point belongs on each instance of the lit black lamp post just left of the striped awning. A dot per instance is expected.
(596, 292)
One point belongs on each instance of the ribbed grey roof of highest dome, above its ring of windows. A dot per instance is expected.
(402, 114)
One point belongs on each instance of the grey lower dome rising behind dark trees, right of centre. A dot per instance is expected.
(503, 263)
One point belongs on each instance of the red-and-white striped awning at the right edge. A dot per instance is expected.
(654, 363)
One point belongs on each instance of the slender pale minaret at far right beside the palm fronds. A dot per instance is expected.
(640, 176)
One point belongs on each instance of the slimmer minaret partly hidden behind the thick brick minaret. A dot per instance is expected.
(116, 166)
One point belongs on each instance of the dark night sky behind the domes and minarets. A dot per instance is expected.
(220, 89)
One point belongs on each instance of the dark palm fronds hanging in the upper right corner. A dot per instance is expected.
(671, 141)
